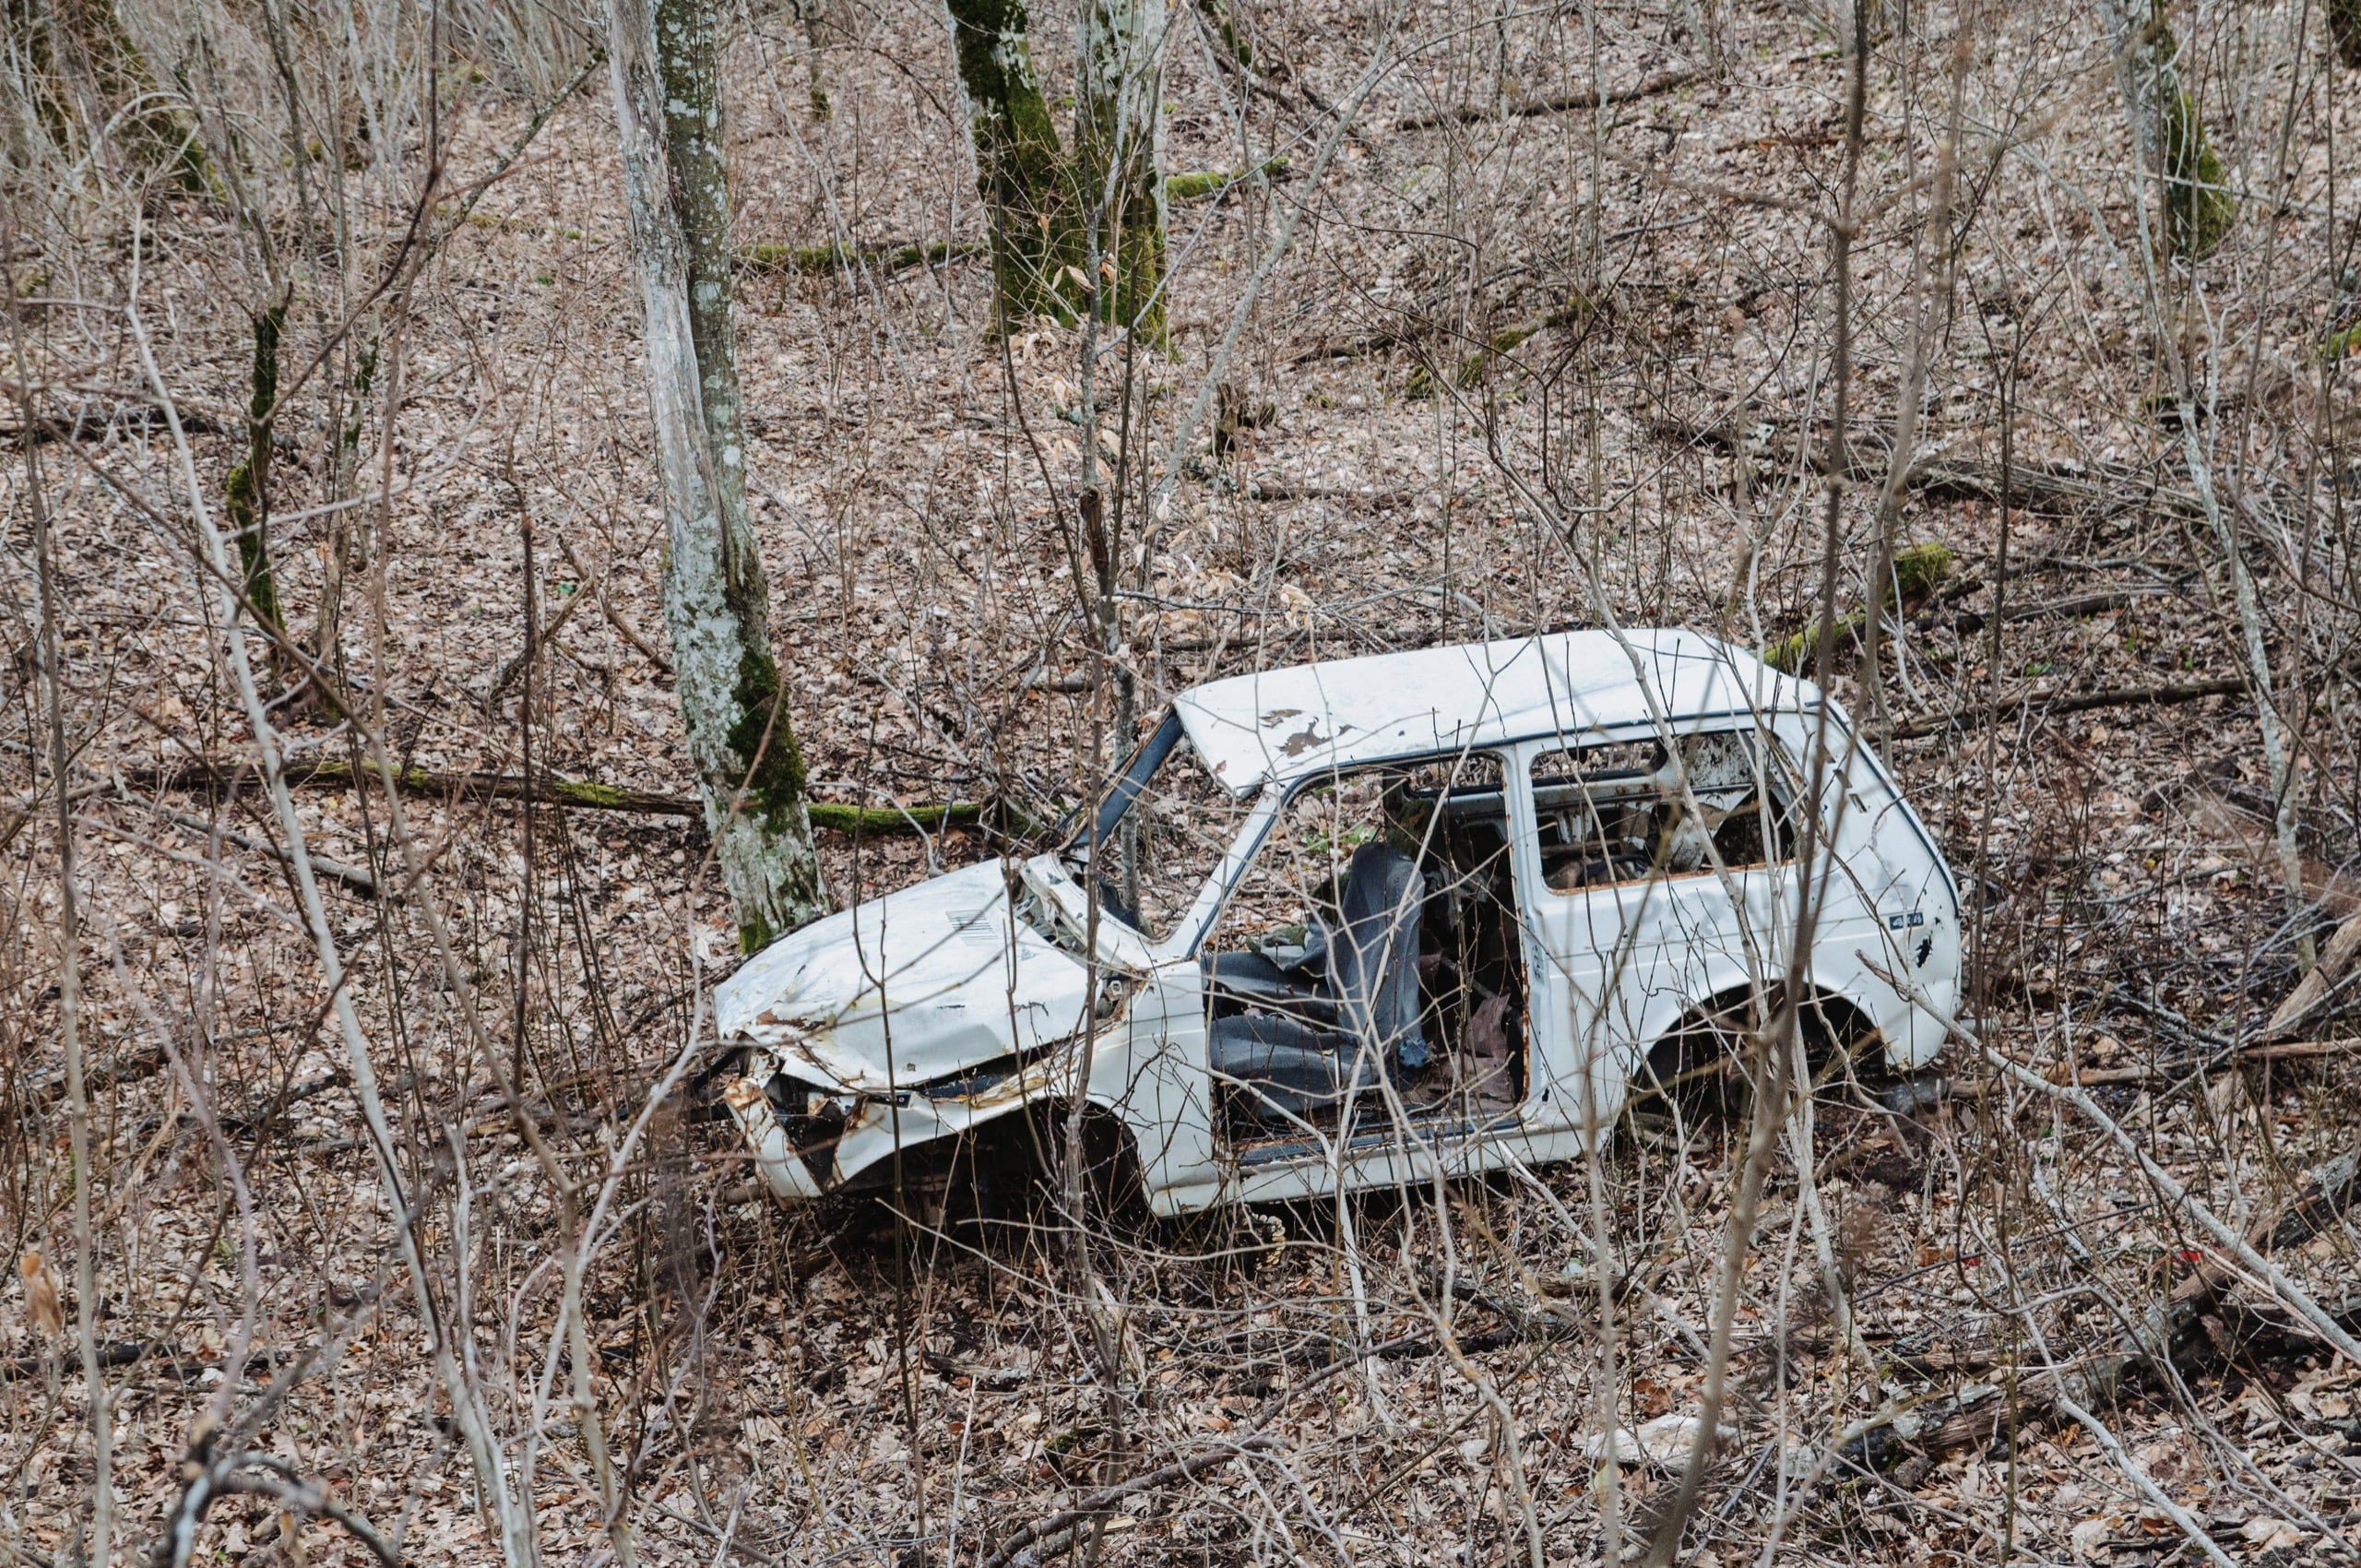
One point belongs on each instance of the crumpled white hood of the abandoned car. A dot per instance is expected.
(943, 972)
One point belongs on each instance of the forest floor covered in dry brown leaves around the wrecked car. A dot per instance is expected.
(1493, 386)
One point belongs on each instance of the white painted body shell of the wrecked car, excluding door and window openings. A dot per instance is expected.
(943, 1007)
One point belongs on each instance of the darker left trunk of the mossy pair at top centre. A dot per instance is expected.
(1021, 166)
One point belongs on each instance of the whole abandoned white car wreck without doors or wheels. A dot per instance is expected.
(1361, 922)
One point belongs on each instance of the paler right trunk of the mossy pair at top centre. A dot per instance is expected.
(1120, 157)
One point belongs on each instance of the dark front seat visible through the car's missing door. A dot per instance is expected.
(1307, 1047)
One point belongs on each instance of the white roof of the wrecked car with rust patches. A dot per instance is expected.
(1309, 719)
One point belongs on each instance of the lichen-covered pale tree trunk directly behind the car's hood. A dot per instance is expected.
(717, 603)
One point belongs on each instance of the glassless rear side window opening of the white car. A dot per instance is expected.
(1616, 811)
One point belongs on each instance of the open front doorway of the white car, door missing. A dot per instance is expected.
(1373, 934)
